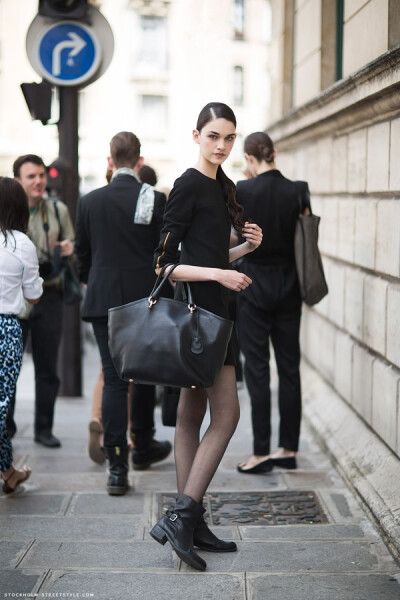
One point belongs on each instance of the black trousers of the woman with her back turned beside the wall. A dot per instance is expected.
(271, 310)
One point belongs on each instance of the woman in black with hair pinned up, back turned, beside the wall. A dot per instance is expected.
(271, 307)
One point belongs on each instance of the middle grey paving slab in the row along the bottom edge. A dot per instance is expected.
(145, 586)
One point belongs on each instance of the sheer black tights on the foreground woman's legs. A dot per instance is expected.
(197, 461)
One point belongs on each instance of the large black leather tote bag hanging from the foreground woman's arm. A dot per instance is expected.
(167, 342)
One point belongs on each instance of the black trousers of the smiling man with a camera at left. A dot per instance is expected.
(45, 326)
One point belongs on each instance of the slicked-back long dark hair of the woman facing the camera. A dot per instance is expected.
(218, 110)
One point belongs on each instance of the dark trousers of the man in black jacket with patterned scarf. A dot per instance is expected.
(115, 390)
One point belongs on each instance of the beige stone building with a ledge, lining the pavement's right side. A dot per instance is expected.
(336, 123)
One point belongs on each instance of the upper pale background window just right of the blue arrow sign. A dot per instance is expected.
(153, 43)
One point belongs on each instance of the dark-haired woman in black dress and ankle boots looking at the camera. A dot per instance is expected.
(198, 215)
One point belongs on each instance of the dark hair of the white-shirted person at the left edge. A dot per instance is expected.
(14, 209)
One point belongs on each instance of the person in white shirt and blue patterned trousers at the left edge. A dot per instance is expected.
(19, 279)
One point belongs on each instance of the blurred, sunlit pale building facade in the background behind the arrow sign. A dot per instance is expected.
(170, 58)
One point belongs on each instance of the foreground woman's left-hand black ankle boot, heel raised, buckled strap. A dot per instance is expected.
(177, 527)
